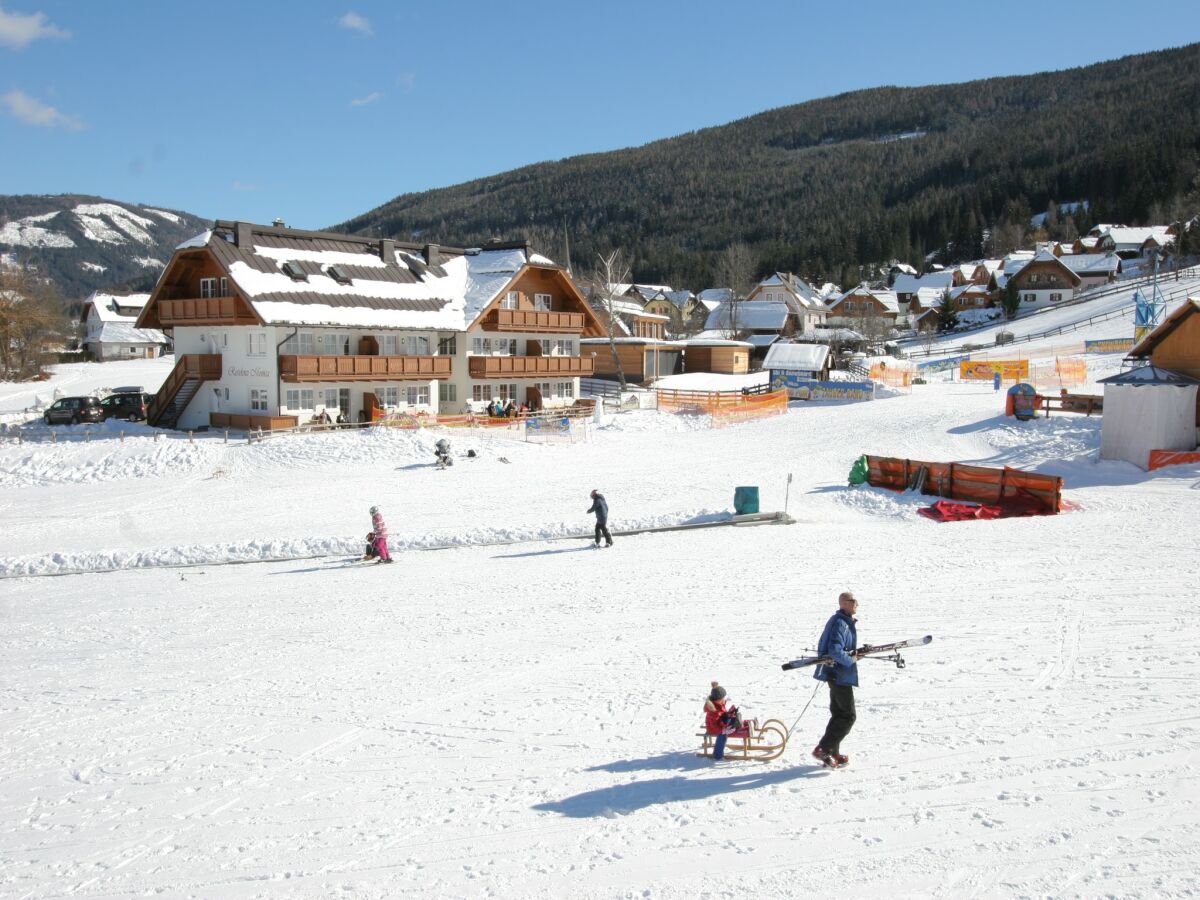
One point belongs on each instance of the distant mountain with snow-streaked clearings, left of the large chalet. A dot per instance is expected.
(86, 243)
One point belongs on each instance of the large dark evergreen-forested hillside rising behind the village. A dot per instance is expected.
(827, 187)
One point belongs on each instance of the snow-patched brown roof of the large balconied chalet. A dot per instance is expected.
(287, 278)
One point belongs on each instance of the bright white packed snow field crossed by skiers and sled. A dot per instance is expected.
(519, 719)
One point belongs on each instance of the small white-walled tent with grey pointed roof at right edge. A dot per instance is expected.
(1148, 409)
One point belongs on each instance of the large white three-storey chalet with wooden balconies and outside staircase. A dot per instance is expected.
(274, 326)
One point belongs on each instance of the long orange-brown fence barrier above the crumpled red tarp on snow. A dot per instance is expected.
(961, 482)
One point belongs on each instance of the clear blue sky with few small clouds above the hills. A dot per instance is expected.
(316, 112)
